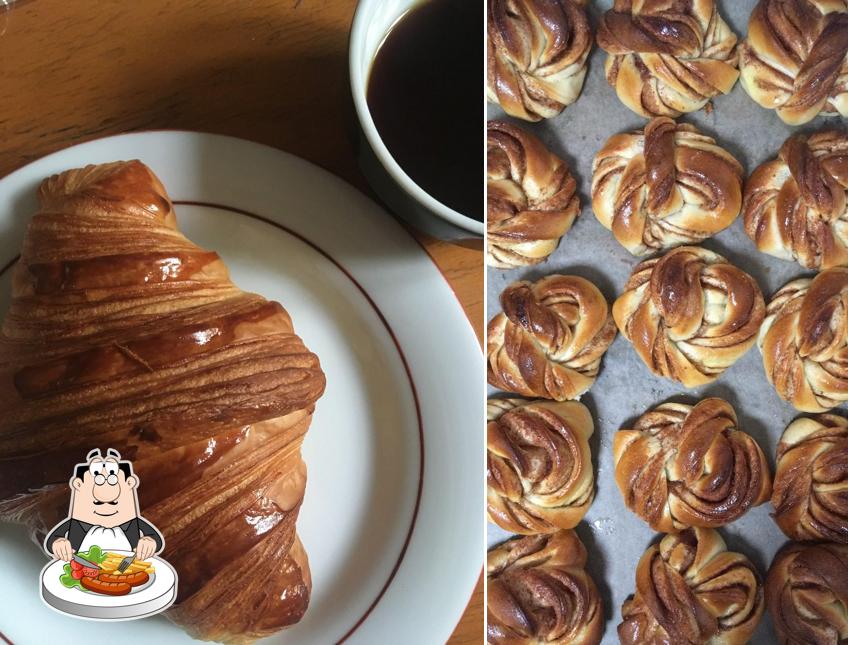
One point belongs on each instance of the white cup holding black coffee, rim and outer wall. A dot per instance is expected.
(371, 22)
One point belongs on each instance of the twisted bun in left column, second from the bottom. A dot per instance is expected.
(539, 466)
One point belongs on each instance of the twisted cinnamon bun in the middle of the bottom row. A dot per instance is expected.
(691, 589)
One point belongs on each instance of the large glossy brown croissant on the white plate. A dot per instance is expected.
(124, 334)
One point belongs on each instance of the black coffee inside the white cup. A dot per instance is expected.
(425, 94)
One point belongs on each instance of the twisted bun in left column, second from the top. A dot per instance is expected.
(531, 199)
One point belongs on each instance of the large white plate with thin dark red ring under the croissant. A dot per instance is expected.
(394, 502)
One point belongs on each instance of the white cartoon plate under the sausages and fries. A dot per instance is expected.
(151, 597)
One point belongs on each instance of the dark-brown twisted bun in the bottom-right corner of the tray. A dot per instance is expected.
(807, 592)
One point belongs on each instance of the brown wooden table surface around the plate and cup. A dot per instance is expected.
(273, 71)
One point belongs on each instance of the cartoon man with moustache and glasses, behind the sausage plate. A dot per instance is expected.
(104, 511)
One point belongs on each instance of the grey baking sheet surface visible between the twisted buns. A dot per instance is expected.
(615, 537)
